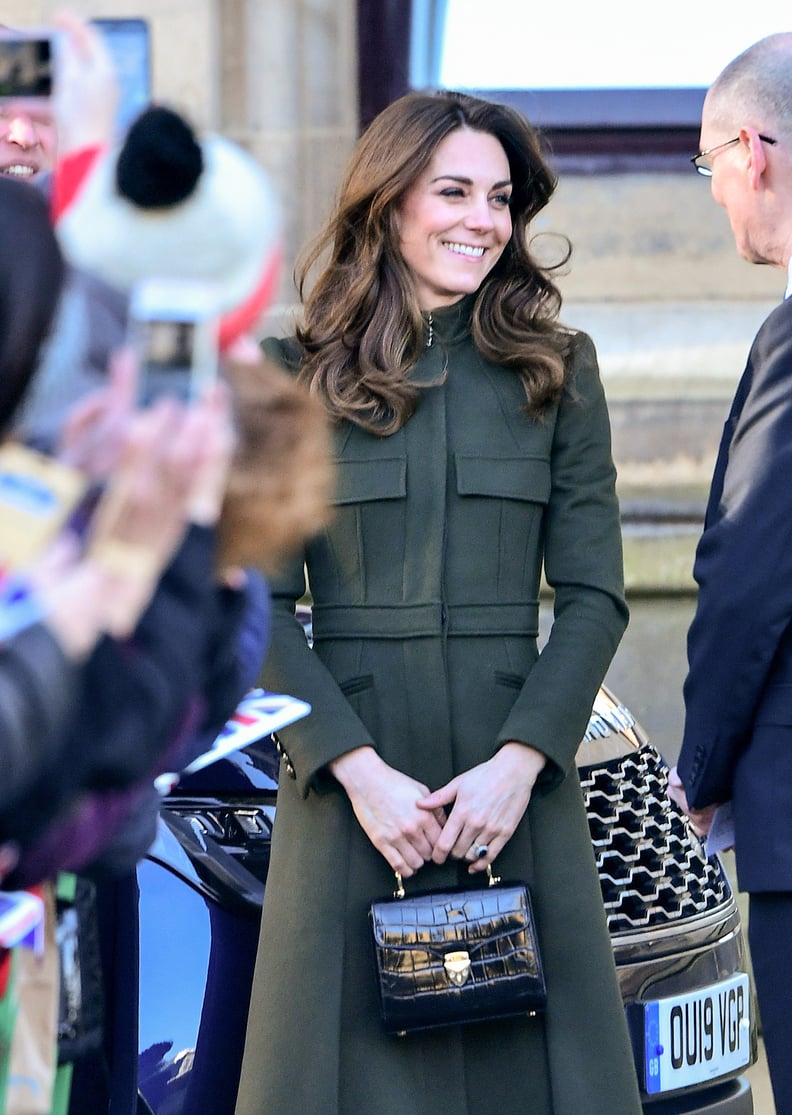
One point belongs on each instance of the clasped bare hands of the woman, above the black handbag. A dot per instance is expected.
(472, 818)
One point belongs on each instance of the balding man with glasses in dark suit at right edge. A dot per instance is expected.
(738, 741)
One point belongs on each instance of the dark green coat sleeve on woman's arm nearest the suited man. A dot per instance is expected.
(584, 566)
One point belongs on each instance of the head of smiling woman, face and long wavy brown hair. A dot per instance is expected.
(364, 372)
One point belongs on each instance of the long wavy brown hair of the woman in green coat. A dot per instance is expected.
(362, 327)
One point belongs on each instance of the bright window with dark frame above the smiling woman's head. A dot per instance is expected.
(613, 86)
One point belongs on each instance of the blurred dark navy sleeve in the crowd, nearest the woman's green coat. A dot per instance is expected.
(134, 699)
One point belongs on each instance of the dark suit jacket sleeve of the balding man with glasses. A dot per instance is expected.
(745, 571)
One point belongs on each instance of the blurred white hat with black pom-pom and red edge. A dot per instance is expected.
(128, 221)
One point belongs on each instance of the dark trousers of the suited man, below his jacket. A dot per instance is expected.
(770, 936)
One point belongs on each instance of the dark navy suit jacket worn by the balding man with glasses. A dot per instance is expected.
(738, 740)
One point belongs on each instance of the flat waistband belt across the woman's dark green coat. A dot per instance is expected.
(405, 622)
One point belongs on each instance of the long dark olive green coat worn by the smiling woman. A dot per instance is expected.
(426, 589)
